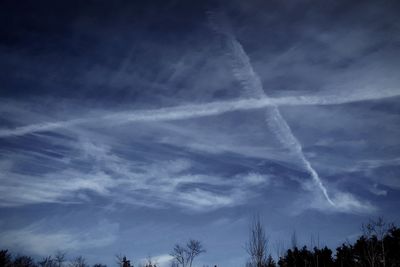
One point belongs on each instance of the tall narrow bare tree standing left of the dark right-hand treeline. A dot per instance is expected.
(257, 247)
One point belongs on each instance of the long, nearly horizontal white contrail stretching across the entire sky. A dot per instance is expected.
(199, 110)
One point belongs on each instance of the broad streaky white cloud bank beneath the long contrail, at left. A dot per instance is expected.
(154, 183)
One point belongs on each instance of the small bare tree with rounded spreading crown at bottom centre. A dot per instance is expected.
(184, 255)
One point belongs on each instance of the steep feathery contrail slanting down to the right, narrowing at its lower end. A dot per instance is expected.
(245, 74)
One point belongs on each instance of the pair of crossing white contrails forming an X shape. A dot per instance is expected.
(255, 99)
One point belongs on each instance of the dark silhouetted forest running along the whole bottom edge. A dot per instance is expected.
(377, 246)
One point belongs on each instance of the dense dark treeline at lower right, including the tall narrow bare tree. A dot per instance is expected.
(377, 246)
